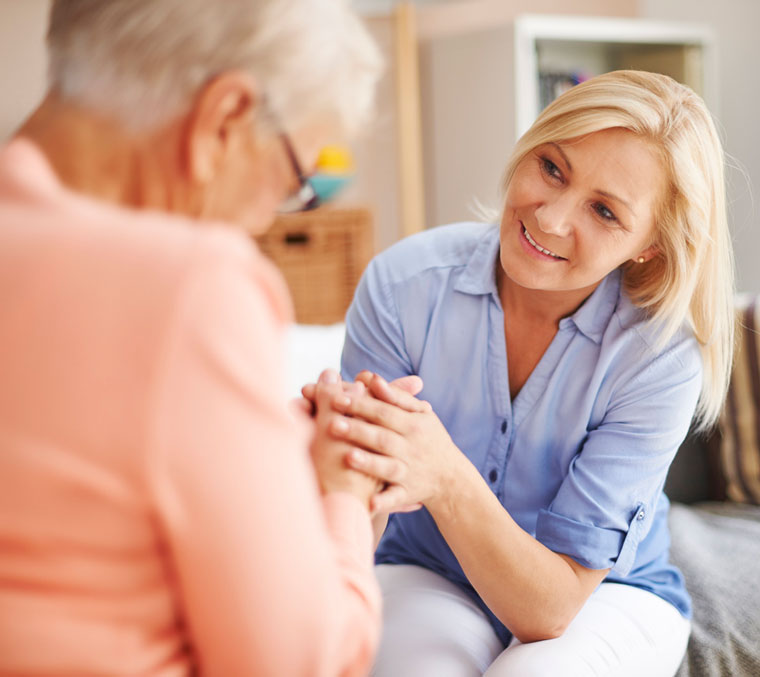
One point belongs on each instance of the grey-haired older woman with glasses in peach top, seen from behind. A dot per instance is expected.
(159, 513)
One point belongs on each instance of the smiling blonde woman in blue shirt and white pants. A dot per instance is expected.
(564, 354)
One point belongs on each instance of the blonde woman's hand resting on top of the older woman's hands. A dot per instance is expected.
(410, 450)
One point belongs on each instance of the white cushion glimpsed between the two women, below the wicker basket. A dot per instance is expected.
(309, 349)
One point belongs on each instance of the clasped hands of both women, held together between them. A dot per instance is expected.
(378, 441)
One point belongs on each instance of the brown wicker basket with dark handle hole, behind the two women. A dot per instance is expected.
(322, 254)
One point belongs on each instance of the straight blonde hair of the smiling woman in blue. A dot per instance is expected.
(691, 280)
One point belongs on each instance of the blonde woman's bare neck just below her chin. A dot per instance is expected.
(538, 307)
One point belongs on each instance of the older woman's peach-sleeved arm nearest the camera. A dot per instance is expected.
(272, 578)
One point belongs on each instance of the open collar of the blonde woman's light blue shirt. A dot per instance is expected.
(591, 319)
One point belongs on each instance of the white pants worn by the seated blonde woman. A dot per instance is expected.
(431, 628)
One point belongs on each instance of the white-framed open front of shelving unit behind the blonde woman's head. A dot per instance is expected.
(686, 52)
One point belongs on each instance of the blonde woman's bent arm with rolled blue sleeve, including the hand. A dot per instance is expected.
(537, 585)
